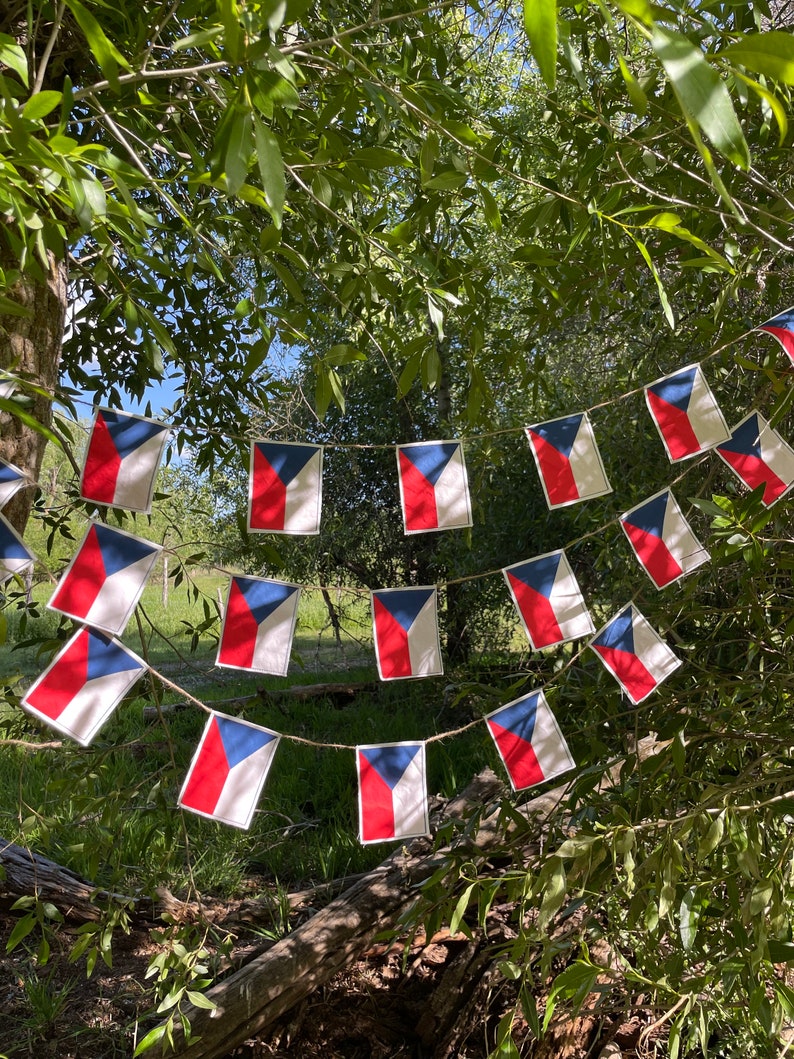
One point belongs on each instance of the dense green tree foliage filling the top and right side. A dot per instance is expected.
(455, 222)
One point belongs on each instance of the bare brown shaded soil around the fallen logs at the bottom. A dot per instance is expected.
(386, 1007)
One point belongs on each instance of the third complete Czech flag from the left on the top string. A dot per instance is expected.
(435, 490)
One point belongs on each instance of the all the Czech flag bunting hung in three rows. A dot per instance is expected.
(102, 585)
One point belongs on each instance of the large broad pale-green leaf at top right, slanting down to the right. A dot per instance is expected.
(701, 93)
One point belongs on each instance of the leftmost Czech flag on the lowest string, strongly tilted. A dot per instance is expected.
(84, 685)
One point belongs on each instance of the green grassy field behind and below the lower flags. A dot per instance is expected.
(110, 812)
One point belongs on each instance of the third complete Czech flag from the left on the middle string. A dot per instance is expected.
(406, 630)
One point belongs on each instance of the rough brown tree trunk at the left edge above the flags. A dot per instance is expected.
(30, 348)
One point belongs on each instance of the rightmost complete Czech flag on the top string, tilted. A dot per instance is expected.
(687, 414)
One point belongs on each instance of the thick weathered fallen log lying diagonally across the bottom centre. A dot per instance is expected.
(250, 1001)
